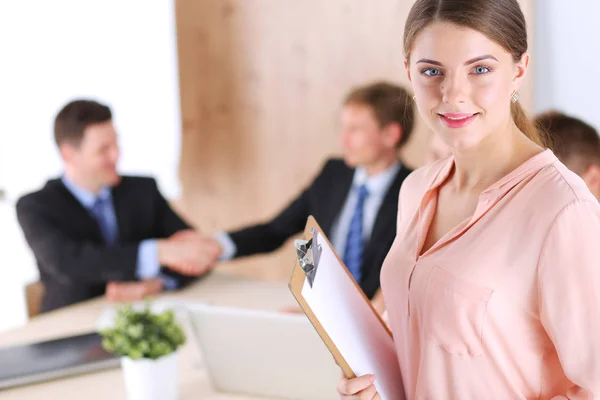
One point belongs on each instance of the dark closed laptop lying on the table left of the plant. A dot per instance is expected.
(52, 359)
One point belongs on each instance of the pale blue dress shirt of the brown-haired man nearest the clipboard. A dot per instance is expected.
(377, 185)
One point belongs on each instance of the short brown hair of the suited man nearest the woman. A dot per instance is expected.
(390, 103)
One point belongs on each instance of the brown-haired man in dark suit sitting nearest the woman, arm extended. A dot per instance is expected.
(354, 200)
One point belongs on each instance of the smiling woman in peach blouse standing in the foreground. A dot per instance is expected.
(492, 283)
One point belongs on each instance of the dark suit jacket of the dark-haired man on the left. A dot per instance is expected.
(74, 262)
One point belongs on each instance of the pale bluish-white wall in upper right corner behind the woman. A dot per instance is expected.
(567, 58)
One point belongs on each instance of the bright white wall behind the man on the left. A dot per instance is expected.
(119, 52)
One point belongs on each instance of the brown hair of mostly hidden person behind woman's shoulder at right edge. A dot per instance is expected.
(574, 142)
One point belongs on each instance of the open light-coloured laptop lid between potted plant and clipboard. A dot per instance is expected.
(263, 353)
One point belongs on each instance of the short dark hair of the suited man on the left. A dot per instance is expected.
(72, 120)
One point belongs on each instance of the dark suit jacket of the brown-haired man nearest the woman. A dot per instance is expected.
(324, 199)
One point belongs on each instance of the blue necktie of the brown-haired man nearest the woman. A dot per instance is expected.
(353, 254)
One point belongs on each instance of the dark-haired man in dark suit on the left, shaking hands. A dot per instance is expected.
(95, 232)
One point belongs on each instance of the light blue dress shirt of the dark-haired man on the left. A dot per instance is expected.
(147, 266)
